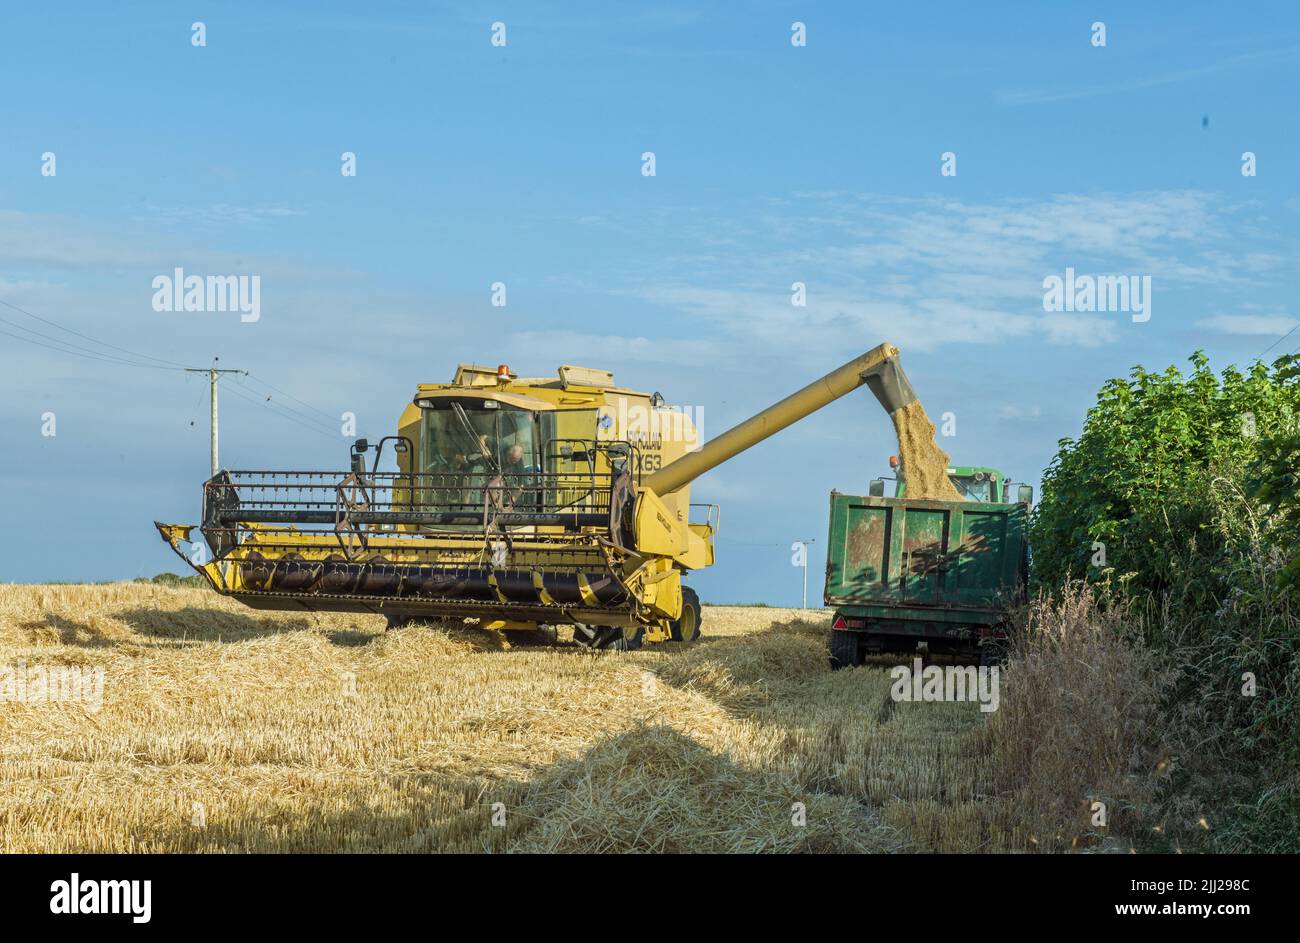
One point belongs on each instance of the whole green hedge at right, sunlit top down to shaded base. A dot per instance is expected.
(1182, 494)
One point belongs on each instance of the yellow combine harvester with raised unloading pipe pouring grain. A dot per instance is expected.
(523, 504)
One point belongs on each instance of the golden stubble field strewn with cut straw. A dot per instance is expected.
(227, 730)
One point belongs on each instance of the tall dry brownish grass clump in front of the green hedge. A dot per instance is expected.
(1081, 723)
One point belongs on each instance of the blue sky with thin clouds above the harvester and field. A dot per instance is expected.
(523, 165)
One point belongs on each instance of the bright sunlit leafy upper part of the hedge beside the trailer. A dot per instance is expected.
(1130, 500)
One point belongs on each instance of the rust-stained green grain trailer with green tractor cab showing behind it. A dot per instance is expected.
(933, 577)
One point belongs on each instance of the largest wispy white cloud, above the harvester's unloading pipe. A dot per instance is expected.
(928, 272)
